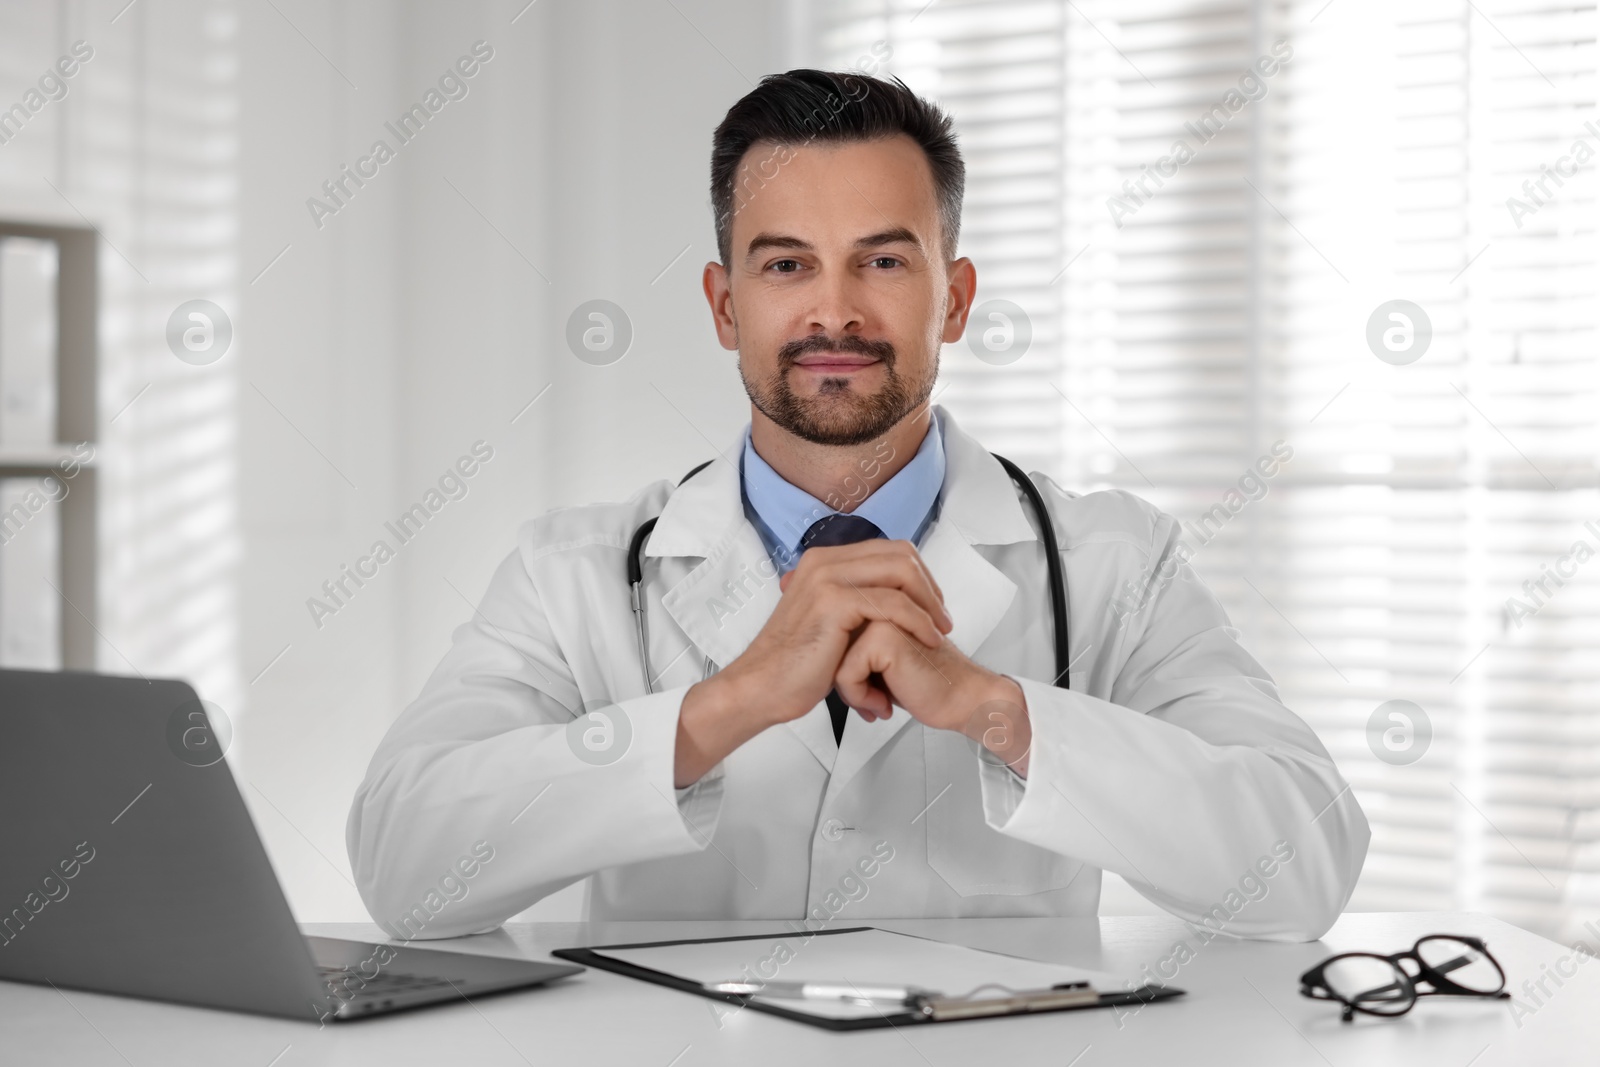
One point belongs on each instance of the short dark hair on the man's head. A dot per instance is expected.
(802, 106)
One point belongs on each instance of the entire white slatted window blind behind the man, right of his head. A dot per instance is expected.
(1198, 306)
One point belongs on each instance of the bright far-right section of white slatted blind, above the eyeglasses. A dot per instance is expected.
(1436, 489)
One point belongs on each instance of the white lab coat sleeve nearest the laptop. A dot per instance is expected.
(502, 772)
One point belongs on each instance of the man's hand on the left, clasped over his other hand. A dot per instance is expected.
(791, 665)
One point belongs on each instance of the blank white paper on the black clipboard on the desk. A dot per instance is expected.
(878, 957)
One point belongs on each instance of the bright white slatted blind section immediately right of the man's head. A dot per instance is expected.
(1001, 71)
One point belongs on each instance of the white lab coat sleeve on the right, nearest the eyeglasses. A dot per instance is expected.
(1193, 781)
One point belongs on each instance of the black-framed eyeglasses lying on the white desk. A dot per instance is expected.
(1383, 986)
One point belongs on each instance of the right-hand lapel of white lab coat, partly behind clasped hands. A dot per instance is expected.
(978, 506)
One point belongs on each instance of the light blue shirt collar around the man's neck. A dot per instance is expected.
(903, 508)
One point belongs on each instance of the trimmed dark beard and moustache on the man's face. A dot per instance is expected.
(839, 415)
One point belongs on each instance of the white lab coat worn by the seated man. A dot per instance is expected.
(1170, 762)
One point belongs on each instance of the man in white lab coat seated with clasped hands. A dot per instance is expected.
(854, 549)
